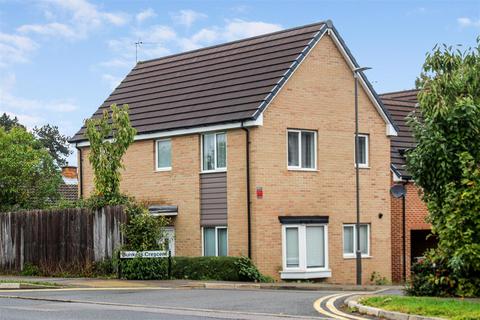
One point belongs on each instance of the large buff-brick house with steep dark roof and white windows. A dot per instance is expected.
(249, 147)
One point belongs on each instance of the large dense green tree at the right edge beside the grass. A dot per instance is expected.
(446, 160)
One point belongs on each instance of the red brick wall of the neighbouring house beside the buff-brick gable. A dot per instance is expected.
(415, 214)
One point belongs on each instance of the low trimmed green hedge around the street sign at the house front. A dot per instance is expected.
(192, 268)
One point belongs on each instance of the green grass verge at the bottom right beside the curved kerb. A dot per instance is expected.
(455, 309)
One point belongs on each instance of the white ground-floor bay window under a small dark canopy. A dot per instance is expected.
(305, 251)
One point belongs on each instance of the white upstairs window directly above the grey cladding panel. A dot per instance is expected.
(214, 152)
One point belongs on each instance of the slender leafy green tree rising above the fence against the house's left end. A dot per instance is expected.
(110, 137)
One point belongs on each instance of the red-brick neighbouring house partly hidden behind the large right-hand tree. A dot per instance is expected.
(400, 104)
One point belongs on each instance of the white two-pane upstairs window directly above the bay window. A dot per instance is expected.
(301, 149)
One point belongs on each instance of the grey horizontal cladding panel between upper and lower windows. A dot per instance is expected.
(213, 199)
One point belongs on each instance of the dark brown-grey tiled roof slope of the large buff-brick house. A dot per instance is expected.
(226, 83)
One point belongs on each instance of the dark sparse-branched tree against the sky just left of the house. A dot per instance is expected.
(55, 142)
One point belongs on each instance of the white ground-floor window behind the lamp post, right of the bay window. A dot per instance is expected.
(350, 240)
